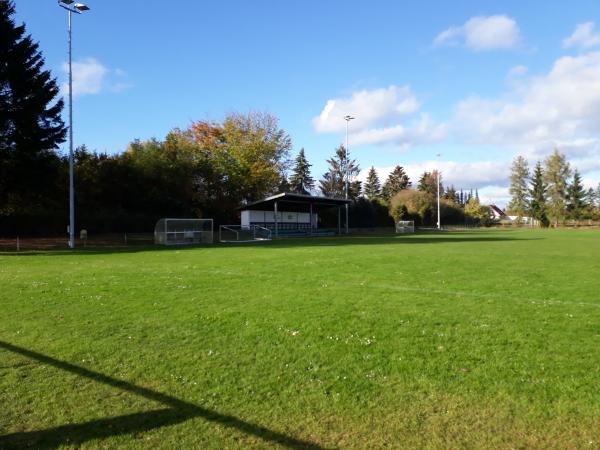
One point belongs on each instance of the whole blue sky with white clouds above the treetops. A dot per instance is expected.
(475, 81)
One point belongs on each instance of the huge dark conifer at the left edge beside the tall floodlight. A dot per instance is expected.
(30, 123)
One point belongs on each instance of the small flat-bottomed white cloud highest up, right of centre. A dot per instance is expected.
(482, 33)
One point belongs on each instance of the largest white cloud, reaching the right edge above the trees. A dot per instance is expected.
(560, 109)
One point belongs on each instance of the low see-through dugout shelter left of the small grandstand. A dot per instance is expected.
(170, 231)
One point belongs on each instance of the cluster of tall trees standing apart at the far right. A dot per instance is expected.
(552, 193)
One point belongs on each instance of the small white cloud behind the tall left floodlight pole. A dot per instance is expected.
(92, 77)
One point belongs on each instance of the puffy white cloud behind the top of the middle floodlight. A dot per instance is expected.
(379, 115)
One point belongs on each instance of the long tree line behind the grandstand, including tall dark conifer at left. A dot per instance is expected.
(208, 169)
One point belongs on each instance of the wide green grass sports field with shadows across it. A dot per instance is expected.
(486, 339)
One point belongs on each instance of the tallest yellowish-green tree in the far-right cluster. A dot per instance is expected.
(556, 174)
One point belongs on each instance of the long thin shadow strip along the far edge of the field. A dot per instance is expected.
(333, 241)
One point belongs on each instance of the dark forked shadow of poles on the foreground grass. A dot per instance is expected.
(177, 411)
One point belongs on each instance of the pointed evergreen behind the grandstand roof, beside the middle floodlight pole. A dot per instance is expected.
(333, 183)
